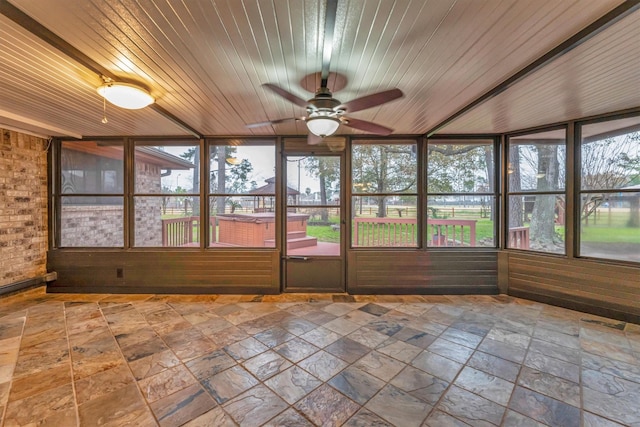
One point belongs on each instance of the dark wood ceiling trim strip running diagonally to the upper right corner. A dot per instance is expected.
(601, 24)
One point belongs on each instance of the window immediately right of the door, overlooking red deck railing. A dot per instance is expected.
(384, 194)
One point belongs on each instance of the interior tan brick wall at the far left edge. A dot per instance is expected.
(23, 207)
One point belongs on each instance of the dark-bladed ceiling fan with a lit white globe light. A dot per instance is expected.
(325, 113)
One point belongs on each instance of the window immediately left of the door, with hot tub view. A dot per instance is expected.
(242, 194)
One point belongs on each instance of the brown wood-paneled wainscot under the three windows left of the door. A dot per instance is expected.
(186, 271)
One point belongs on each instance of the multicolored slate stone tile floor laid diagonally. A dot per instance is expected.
(303, 360)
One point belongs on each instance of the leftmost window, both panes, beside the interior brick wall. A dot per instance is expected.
(91, 194)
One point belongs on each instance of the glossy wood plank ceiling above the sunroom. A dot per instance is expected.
(205, 62)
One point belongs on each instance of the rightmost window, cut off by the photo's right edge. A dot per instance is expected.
(610, 190)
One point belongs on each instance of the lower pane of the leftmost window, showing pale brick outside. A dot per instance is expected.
(92, 222)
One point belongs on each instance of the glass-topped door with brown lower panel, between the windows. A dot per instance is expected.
(313, 243)
